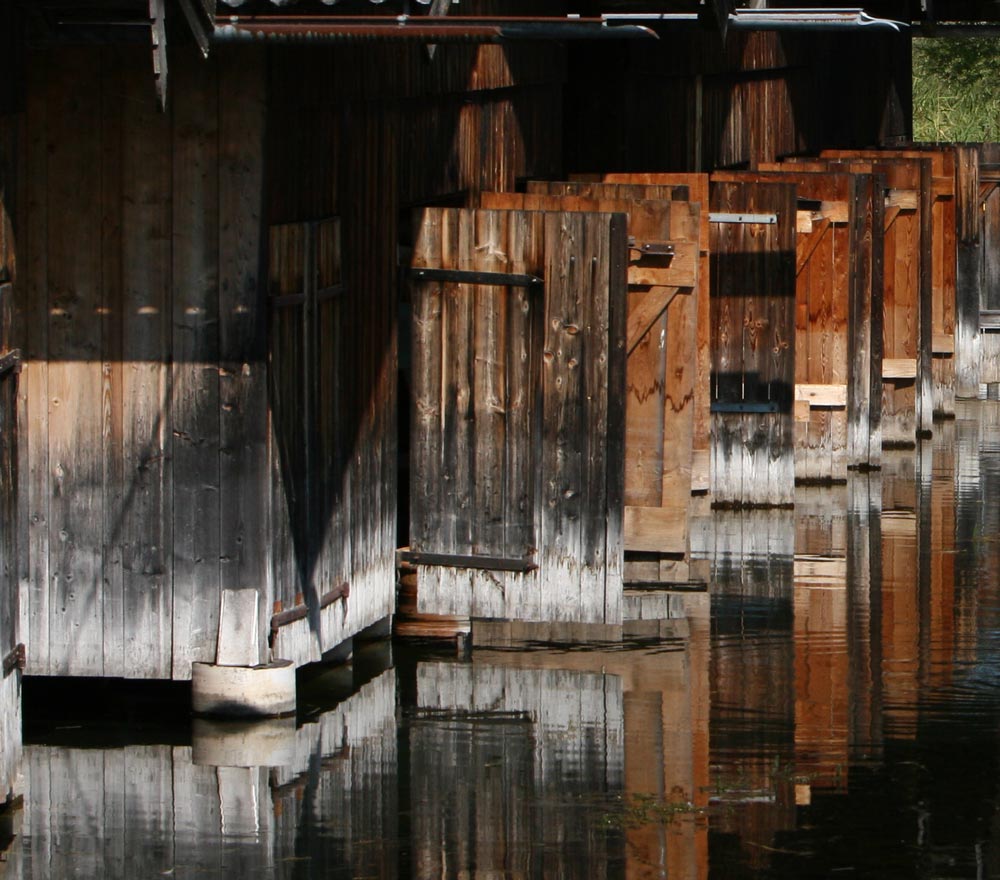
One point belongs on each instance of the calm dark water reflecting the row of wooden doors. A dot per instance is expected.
(828, 707)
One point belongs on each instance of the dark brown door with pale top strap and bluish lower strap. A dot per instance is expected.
(753, 343)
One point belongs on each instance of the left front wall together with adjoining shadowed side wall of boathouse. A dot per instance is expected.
(168, 455)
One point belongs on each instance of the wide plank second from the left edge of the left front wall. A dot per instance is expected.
(75, 381)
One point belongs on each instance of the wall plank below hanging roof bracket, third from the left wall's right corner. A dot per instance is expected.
(144, 511)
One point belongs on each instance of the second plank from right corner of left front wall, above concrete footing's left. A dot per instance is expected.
(194, 373)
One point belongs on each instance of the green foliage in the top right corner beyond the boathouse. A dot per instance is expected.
(956, 89)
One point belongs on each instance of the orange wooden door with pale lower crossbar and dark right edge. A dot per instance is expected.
(838, 320)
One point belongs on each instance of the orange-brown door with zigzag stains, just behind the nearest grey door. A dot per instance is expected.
(661, 347)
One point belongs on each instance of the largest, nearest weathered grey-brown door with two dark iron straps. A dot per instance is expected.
(517, 420)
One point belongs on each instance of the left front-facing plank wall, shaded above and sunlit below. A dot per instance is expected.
(143, 326)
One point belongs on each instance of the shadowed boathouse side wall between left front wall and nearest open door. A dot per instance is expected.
(388, 130)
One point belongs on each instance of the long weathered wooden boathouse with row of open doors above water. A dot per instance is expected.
(297, 297)
